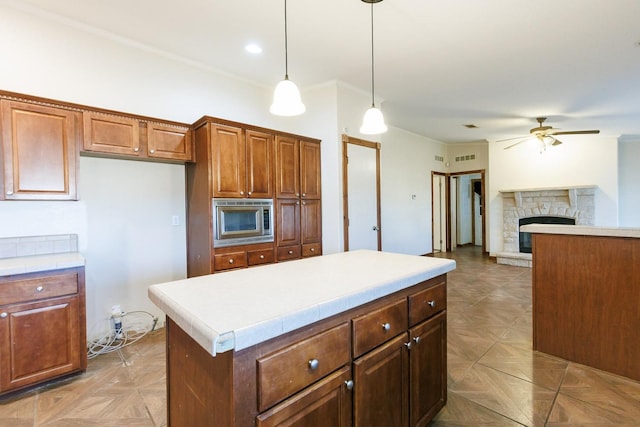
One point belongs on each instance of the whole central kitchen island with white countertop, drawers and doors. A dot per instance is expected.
(356, 338)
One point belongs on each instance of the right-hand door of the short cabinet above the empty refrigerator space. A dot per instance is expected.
(169, 142)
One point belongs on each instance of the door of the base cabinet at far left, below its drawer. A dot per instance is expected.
(39, 341)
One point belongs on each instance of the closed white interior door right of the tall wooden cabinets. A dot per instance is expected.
(362, 195)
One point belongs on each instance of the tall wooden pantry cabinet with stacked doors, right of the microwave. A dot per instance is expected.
(298, 203)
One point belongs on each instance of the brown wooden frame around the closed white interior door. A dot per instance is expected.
(346, 139)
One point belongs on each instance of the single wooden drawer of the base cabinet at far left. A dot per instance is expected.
(38, 288)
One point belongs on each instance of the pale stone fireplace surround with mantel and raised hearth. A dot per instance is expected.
(570, 202)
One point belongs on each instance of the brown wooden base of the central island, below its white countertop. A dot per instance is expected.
(379, 364)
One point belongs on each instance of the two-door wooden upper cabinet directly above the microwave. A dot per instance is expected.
(242, 162)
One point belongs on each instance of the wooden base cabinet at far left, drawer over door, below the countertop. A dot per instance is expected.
(42, 327)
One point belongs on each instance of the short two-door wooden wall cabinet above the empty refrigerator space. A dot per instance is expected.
(111, 134)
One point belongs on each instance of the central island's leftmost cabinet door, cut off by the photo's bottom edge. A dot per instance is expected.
(325, 403)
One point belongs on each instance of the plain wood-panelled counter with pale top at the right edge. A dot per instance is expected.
(586, 295)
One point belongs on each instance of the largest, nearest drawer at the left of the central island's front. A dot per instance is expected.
(291, 369)
